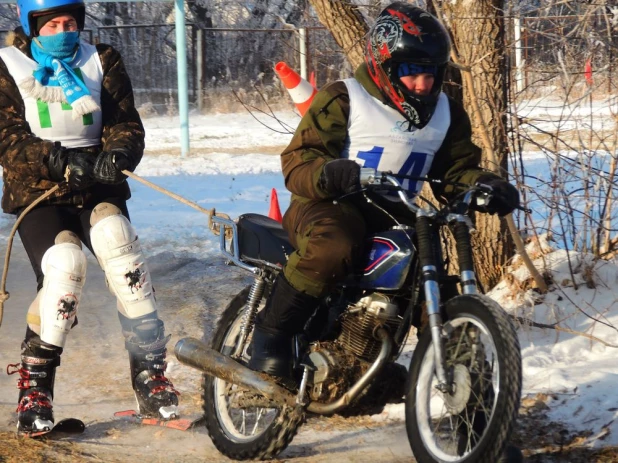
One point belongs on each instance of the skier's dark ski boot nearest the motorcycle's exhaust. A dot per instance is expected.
(155, 394)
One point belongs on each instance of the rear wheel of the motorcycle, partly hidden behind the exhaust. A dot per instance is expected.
(242, 431)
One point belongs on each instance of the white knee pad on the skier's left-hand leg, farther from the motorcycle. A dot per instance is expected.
(64, 267)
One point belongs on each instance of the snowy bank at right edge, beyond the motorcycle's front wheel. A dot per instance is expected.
(576, 368)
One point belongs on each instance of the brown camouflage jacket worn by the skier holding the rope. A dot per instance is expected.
(24, 157)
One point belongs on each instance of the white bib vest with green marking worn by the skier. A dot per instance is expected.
(53, 120)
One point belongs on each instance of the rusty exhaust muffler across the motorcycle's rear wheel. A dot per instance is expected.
(196, 354)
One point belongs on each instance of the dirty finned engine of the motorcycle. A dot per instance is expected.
(338, 364)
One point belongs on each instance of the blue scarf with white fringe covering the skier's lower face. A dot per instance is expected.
(55, 54)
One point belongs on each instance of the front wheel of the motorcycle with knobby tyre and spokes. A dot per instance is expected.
(473, 421)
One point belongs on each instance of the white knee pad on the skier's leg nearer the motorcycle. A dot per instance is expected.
(119, 253)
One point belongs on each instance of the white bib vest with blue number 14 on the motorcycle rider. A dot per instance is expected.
(377, 137)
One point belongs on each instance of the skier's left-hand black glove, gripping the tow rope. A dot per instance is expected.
(73, 166)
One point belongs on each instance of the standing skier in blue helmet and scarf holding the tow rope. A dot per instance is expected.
(67, 117)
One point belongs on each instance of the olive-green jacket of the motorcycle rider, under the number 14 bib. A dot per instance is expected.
(321, 135)
